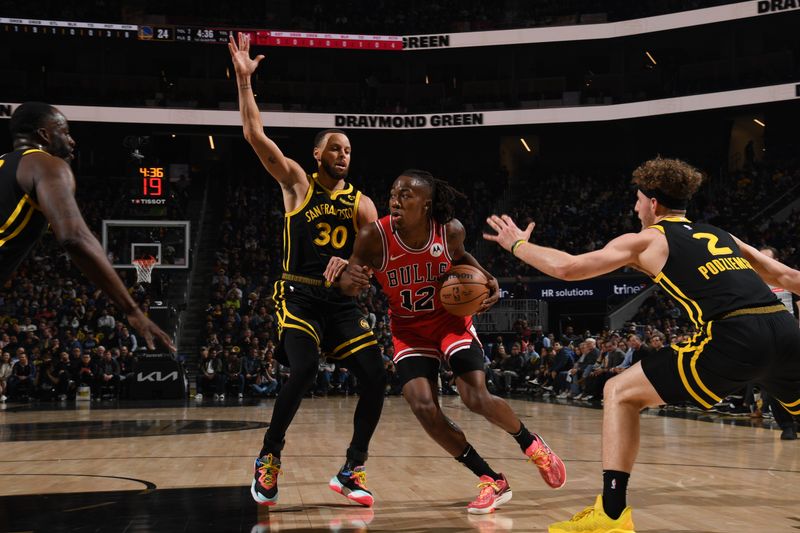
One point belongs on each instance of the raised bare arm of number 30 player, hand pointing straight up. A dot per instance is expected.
(286, 171)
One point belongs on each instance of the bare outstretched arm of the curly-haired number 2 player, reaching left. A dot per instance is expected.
(623, 251)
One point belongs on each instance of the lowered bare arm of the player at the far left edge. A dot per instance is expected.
(54, 187)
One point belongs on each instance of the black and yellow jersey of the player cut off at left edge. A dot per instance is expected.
(21, 218)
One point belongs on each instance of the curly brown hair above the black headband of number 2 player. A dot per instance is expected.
(672, 177)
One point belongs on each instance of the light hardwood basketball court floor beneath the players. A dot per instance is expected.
(188, 468)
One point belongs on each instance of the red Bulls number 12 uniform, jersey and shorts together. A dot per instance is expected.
(410, 279)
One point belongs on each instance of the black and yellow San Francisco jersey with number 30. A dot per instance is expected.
(324, 225)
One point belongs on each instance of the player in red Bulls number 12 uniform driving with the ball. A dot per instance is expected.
(408, 251)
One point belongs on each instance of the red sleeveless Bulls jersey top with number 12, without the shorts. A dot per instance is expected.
(410, 277)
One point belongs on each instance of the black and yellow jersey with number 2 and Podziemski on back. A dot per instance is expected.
(706, 273)
